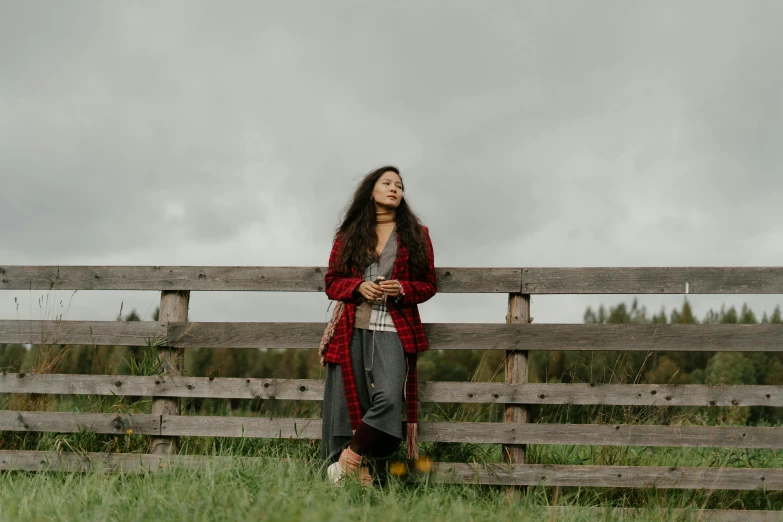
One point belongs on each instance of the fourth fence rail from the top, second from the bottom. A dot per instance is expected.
(470, 432)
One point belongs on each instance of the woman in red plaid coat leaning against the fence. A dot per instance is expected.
(381, 267)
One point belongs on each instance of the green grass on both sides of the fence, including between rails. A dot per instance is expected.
(288, 484)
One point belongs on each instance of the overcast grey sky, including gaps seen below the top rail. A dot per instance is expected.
(541, 133)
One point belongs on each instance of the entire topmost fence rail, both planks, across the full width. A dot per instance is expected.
(632, 280)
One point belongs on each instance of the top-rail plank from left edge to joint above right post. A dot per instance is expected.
(224, 278)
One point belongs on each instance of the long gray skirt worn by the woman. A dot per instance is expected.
(382, 404)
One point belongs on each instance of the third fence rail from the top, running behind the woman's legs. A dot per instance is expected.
(438, 391)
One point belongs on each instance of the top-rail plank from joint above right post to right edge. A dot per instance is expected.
(653, 280)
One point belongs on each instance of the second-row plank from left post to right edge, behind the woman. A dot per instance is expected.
(482, 336)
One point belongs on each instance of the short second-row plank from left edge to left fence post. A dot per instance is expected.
(99, 333)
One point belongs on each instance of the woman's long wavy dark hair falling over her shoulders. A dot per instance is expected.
(357, 231)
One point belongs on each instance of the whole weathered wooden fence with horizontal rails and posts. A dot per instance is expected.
(516, 338)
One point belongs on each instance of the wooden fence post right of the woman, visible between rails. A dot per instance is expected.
(516, 373)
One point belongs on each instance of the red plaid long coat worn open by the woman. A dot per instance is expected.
(404, 313)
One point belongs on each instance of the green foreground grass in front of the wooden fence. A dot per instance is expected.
(276, 490)
